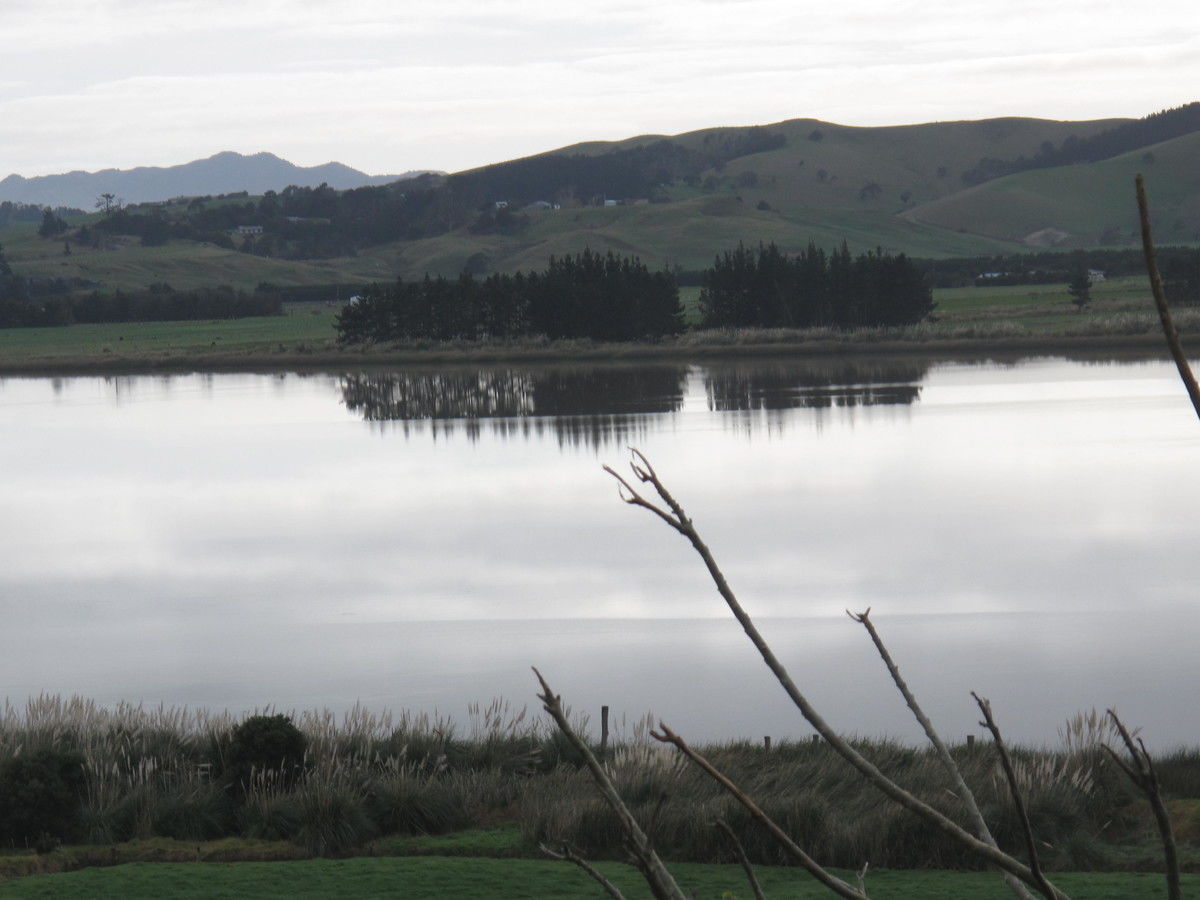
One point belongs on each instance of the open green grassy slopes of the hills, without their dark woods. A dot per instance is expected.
(899, 188)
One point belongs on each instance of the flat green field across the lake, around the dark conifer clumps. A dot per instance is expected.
(993, 320)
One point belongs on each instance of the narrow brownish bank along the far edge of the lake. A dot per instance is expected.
(1148, 345)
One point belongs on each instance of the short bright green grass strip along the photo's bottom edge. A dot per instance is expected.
(526, 879)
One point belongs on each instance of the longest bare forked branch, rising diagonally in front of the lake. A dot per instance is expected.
(866, 767)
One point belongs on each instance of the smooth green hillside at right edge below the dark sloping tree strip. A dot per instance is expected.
(1082, 206)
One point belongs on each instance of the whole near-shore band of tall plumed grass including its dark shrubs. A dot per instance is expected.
(85, 787)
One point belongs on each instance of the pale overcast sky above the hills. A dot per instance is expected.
(389, 87)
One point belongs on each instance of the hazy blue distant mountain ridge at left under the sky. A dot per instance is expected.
(223, 173)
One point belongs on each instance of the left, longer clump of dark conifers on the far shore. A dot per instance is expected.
(607, 298)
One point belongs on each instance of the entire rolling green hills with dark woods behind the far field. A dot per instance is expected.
(963, 189)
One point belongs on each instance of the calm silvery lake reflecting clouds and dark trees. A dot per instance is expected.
(419, 539)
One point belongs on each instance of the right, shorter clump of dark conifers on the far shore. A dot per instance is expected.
(767, 289)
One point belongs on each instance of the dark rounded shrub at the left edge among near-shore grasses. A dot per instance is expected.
(40, 796)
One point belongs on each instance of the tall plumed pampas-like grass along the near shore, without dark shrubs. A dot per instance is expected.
(159, 772)
